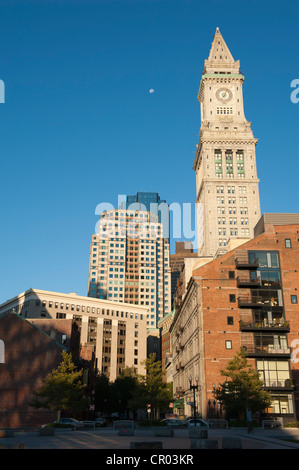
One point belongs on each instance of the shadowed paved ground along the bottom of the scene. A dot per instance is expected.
(108, 439)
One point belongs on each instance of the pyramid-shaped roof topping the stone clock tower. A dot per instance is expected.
(220, 58)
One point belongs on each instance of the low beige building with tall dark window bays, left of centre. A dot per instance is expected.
(112, 334)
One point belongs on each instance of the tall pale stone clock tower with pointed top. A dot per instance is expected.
(227, 190)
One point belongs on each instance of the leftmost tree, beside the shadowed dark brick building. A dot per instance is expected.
(62, 389)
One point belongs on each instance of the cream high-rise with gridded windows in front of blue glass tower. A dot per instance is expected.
(129, 262)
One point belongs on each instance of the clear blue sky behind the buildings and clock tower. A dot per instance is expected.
(79, 126)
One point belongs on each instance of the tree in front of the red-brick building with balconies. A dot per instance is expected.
(244, 389)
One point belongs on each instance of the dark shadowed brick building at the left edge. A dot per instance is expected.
(29, 355)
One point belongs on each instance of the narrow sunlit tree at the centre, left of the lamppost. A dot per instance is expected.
(151, 389)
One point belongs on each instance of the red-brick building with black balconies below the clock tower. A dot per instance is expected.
(246, 298)
